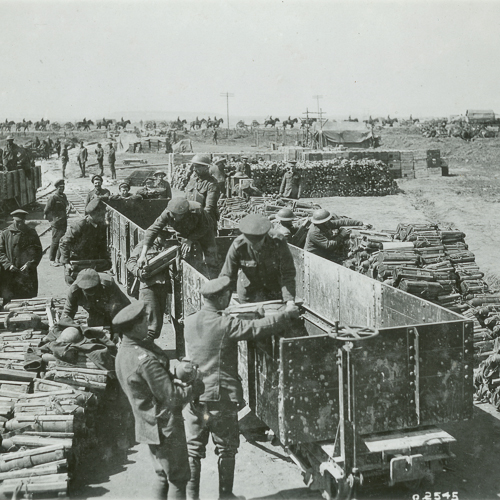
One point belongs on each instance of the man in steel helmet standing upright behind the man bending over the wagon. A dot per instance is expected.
(202, 187)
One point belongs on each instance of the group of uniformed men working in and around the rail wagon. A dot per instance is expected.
(175, 415)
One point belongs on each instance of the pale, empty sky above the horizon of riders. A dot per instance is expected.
(66, 60)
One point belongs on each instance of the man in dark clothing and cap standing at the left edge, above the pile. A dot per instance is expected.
(20, 254)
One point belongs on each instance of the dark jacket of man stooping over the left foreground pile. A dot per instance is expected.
(101, 307)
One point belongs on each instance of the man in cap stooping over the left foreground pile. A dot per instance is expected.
(98, 294)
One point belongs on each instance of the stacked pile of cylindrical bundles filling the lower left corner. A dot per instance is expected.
(48, 410)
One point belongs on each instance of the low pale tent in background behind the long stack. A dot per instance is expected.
(348, 134)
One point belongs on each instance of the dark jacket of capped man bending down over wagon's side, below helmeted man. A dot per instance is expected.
(195, 226)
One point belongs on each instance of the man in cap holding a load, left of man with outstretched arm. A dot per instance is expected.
(142, 369)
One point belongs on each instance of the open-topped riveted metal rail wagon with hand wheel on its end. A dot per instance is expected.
(352, 405)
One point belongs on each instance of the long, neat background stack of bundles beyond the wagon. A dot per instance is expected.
(336, 177)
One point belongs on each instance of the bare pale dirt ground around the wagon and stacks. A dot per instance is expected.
(466, 200)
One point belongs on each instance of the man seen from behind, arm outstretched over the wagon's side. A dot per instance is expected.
(212, 343)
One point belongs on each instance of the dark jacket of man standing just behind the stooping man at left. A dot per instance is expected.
(83, 240)
